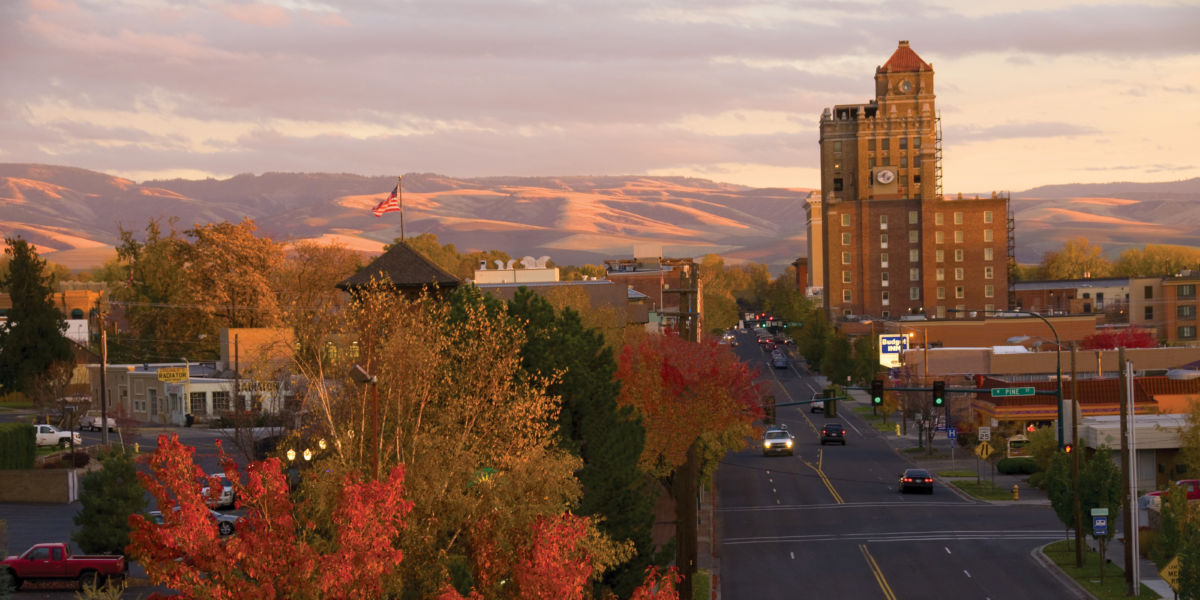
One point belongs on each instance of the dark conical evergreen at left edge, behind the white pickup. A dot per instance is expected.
(33, 338)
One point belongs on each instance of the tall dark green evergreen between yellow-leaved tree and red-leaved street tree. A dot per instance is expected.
(609, 439)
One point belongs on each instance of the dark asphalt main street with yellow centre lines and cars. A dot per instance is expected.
(830, 523)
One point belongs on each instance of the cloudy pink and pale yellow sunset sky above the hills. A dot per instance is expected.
(1030, 92)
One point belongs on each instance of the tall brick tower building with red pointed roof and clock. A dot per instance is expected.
(883, 239)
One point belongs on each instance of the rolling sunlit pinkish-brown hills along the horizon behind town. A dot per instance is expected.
(74, 215)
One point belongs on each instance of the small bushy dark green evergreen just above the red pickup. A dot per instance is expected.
(107, 500)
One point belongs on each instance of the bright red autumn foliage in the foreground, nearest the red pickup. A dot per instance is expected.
(273, 555)
